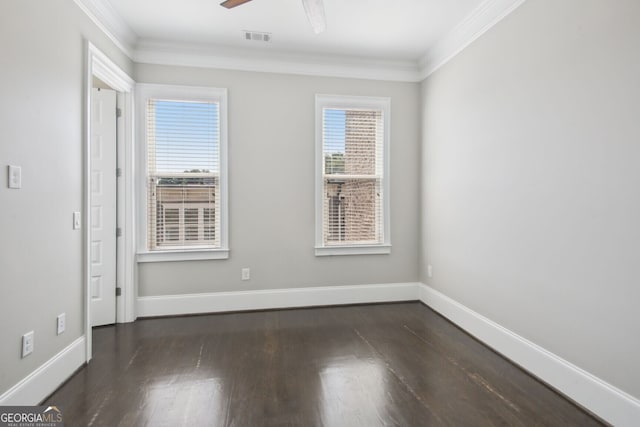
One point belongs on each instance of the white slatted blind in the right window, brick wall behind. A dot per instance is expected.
(353, 175)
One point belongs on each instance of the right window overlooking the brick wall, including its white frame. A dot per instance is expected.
(352, 175)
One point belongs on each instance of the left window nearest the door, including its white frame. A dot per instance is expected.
(183, 130)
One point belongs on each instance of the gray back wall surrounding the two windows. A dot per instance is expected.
(271, 186)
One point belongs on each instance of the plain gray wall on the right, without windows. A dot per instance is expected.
(531, 181)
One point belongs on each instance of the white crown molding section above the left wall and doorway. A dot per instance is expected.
(110, 23)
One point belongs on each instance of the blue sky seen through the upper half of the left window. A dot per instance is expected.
(187, 136)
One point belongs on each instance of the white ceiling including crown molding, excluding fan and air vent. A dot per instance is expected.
(396, 37)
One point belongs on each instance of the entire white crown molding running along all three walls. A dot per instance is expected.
(487, 14)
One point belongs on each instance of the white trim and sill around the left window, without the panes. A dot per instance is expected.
(192, 93)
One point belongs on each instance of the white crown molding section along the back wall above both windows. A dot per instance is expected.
(266, 60)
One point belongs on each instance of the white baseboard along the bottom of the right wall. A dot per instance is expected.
(611, 404)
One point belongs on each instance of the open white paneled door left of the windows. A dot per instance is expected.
(103, 207)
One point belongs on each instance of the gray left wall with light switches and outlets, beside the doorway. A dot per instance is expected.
(41, 107)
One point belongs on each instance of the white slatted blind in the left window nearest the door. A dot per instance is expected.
(183, 174)
